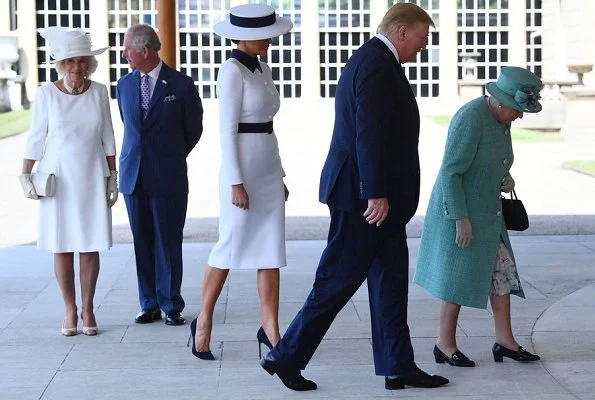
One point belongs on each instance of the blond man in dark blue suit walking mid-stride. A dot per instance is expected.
(370, 182)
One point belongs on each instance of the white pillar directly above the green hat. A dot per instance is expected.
(517, 24)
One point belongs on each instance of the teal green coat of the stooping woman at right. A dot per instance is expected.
(478, 154)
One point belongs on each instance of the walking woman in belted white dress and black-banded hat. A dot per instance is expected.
(252, 193)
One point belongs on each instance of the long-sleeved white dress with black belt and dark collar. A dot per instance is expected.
(253, 238)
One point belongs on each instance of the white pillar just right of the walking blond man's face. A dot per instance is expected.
(448, 82)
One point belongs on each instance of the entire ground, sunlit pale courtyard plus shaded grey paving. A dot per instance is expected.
(556, 259)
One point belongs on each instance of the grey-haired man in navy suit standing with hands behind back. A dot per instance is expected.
(162, 115)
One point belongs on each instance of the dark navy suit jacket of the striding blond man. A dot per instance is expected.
(374, 148)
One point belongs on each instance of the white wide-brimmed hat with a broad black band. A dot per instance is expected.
(253, 22)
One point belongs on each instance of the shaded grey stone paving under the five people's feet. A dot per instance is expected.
(131, 361)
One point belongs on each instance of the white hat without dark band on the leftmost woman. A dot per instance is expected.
(65, 43)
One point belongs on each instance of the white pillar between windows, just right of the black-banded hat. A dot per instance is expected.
(310, 51)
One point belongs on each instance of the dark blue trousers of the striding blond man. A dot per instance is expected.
(355, 252)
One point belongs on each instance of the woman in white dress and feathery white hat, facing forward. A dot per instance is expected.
(71, 136)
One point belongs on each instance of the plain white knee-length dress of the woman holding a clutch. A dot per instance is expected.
(71, 136)
